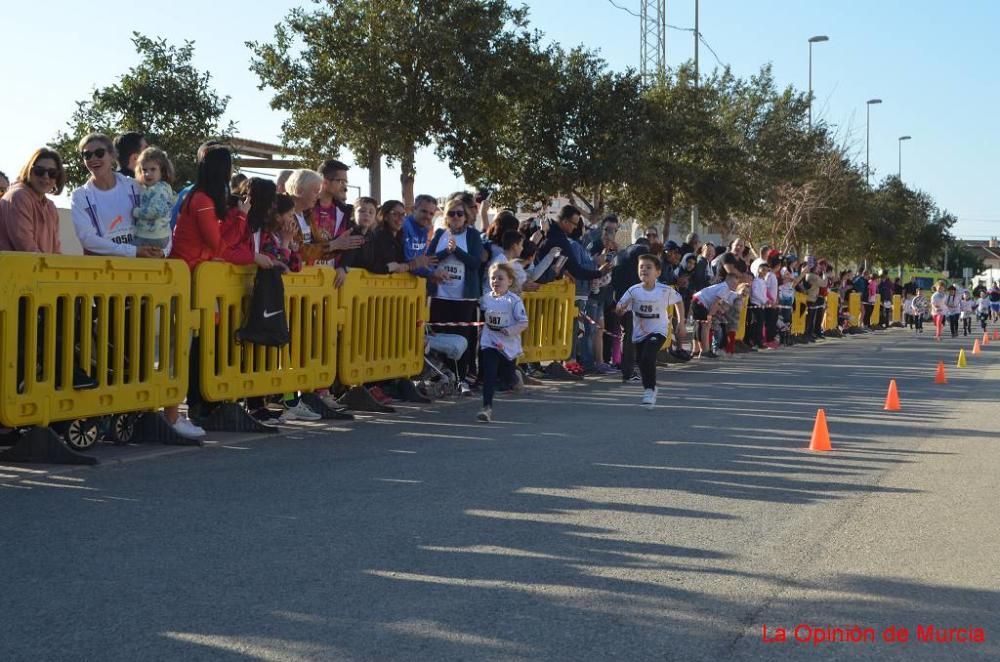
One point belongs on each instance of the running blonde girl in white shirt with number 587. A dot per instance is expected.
(500, 343)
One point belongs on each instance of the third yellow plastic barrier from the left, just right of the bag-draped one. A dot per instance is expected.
(383, 332)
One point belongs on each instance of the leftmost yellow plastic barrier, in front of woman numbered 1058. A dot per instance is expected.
(115, 319)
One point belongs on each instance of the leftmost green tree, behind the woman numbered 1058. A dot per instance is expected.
(164, 97)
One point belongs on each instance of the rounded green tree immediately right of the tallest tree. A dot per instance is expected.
(570, 129)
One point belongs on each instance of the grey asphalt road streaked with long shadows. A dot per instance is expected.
(578, 526)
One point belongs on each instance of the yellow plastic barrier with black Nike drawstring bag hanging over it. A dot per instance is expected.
(230, 370)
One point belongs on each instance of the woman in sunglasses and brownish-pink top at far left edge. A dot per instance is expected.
(29, 221)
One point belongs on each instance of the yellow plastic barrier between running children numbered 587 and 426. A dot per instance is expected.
(551, 311)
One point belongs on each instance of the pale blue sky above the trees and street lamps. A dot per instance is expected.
(931, 63)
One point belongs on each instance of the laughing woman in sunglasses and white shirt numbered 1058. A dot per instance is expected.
(102, 208)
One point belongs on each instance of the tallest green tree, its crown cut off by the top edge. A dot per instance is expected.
(386, 77)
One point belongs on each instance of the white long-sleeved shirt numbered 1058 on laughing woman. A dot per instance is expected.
(103, 219)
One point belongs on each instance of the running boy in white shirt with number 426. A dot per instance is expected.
(649, 302)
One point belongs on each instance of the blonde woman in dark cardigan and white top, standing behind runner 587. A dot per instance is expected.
(459, 250)
